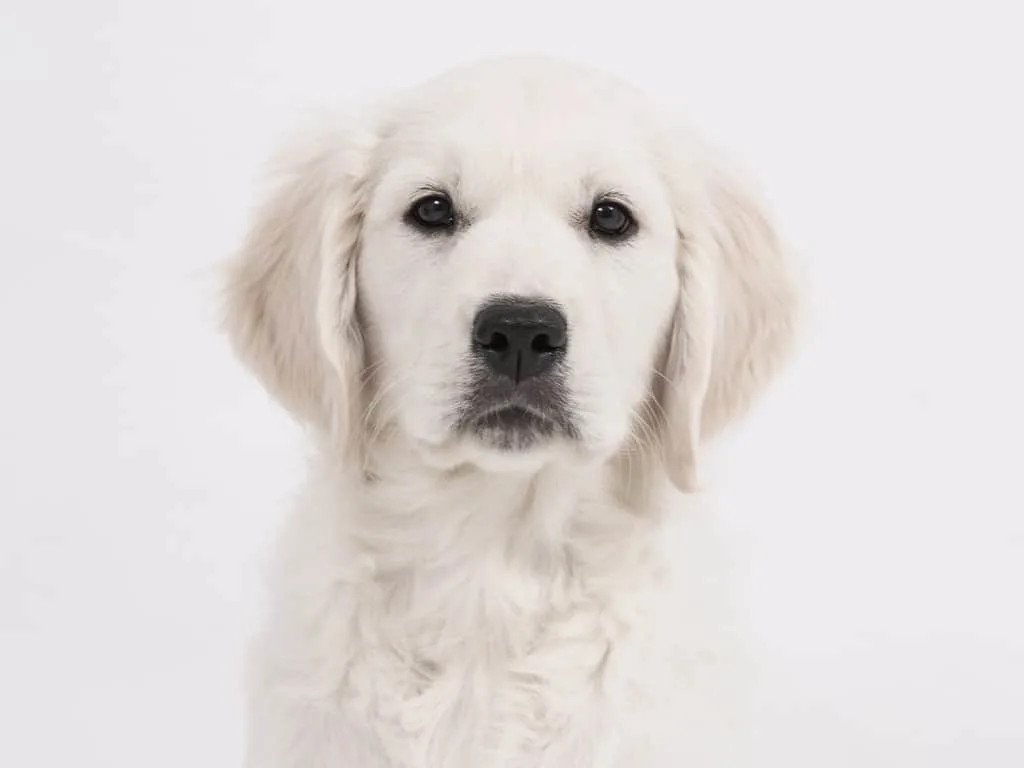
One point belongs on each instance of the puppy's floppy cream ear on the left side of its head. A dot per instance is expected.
(291, 291)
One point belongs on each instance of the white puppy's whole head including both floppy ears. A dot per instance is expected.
(517, 262)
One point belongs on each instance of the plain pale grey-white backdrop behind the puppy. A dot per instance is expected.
(874, 501)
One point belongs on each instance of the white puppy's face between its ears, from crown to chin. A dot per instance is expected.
(518, 271)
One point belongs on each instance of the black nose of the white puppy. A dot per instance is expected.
(520, 338)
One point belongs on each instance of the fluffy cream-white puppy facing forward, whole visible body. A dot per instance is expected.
(510, 305)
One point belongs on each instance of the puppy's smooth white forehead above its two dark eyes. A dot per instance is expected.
(499, 127)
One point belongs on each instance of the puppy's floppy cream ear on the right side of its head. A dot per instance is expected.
(737, 314)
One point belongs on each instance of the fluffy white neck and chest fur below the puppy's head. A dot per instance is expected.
(505, 622)
